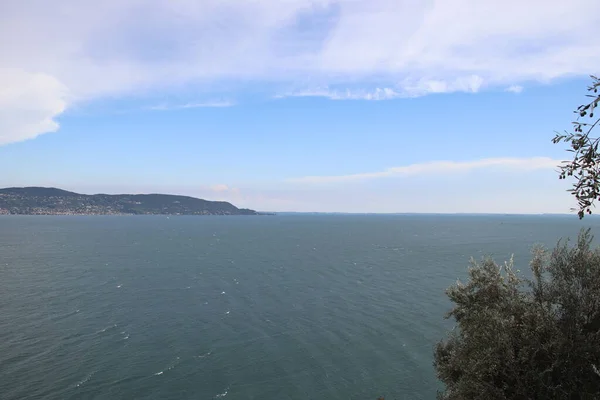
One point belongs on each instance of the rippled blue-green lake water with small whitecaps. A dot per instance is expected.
(277, 307)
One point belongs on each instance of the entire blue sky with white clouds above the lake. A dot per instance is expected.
(437, 106)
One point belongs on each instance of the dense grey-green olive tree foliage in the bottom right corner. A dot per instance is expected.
(520, 338)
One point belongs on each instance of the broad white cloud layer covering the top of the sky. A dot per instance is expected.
(92, 49)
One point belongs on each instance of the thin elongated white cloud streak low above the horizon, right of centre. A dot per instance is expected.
(439, 167)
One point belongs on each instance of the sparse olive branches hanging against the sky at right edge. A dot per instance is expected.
(585, 165)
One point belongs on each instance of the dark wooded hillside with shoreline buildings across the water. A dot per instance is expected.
(52, 201)
